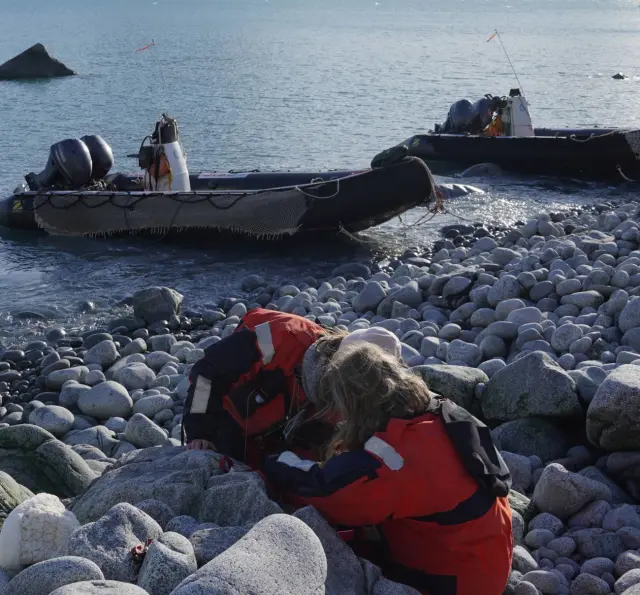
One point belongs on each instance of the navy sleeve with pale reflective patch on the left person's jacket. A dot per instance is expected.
(211, 378)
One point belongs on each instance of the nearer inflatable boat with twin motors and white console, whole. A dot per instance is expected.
(76, 195)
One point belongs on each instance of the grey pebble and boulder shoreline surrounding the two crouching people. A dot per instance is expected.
(535, 329)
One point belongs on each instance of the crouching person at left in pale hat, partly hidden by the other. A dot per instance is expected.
(256, 391)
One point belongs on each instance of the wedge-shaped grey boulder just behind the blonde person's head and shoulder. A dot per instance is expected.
(457, 383)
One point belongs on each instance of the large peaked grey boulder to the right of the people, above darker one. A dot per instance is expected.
(533, 385)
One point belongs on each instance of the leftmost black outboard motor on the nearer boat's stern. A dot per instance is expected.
(69, 166)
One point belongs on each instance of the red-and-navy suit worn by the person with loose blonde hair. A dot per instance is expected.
(445, 532)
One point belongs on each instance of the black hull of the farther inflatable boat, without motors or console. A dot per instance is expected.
(589, 153)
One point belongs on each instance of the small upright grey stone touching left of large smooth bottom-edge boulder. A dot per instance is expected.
(169, 560)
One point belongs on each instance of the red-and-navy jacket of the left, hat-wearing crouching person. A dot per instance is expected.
(247, 385)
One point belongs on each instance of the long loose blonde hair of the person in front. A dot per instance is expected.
(367, 387)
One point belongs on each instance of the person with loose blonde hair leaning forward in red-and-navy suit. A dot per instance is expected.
(413, 481)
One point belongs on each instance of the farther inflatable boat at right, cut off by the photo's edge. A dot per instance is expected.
(499, 130)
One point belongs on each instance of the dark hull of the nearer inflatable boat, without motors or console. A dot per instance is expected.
(352, 201)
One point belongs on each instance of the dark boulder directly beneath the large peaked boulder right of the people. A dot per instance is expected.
(532, 436)
